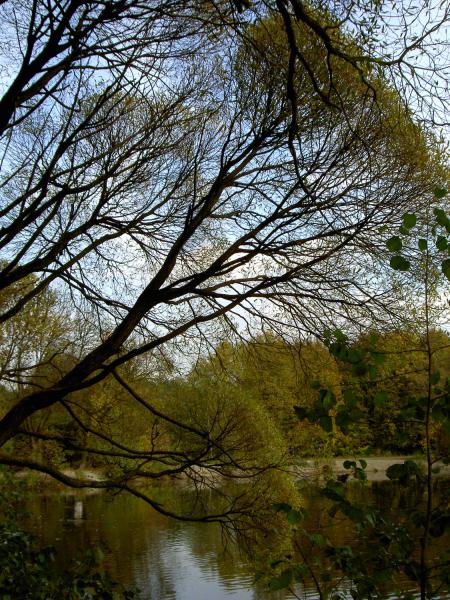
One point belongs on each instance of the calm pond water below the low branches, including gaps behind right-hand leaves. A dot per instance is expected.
(164, 558)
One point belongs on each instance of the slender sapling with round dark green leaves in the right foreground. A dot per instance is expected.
(405, 545)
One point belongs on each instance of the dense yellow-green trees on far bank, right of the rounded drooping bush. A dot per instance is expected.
(277, 377)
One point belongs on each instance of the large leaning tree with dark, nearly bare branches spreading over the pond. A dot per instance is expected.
(198, 181)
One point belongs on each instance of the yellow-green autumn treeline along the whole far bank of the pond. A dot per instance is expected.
(243, 394)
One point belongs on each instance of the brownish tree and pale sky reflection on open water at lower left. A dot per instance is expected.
(141, 546)
